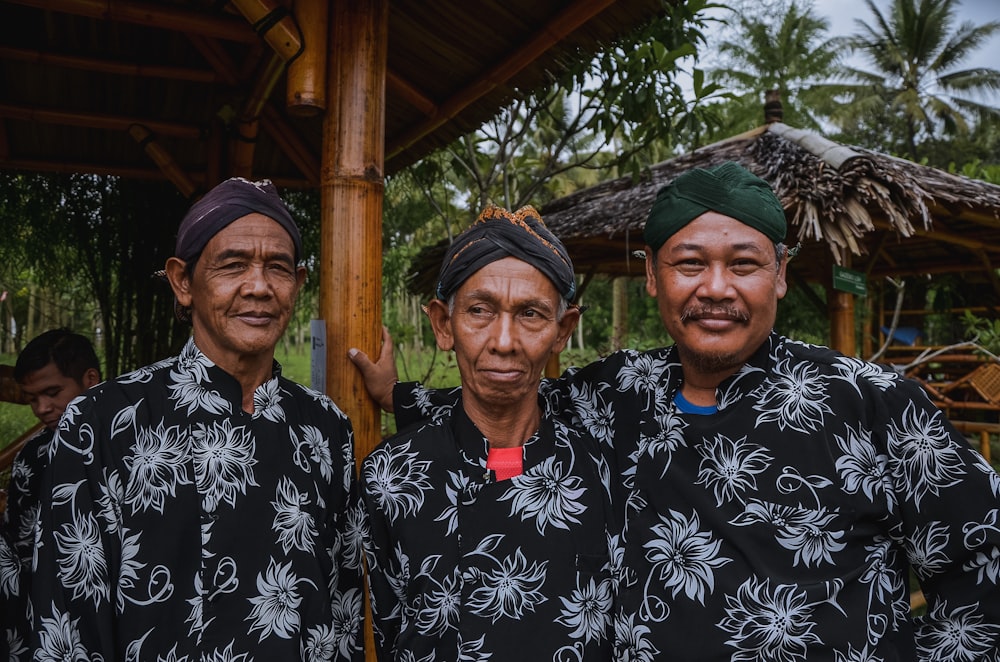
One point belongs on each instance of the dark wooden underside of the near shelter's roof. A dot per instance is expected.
(117, 87)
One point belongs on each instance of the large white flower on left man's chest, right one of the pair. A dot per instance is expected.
(223, 462)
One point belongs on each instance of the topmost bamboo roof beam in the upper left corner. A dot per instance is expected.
(151, 15)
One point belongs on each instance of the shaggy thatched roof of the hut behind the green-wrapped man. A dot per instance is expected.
(845, 204)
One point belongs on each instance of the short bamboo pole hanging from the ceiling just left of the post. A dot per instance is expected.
(306, 90)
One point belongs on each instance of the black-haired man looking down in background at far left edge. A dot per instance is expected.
(52, 370)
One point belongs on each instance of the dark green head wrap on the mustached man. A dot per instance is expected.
(728, 189)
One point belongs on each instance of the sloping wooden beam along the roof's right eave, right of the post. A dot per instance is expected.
(570, 19)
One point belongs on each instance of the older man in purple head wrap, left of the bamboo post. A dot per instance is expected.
(202, 506)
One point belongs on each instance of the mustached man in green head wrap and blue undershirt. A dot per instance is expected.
(775, 497)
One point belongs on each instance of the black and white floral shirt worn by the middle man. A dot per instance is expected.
(465, 567)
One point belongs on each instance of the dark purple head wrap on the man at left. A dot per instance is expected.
(231, 200)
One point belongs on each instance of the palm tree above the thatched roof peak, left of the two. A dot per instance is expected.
(792, 55)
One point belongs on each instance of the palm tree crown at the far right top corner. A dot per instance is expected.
(916, 87)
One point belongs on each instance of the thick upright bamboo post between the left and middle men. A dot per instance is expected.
(351, 185)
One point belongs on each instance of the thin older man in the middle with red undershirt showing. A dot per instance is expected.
(488, 535)
